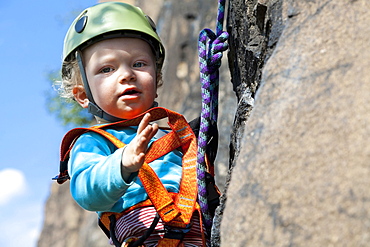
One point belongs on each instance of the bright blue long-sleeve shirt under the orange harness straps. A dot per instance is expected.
(95, 170)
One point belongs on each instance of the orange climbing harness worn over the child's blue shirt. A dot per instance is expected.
(175, 209)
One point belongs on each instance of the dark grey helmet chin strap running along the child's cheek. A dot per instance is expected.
(93, 108)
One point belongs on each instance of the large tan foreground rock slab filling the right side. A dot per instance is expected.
(302, 175)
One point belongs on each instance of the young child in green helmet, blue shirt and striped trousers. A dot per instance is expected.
(112, 62)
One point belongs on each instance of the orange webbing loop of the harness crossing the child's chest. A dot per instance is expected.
(186, 198)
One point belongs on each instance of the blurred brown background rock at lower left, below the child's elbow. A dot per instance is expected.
(67, 224)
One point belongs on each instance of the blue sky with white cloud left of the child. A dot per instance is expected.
(31, 40)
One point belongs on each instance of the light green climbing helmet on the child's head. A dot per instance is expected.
(111, 20)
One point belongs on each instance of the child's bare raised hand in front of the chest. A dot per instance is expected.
(134, 154)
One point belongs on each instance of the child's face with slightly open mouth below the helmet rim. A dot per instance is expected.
(122, 76)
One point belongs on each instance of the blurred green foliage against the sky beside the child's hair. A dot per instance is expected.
(70, 113)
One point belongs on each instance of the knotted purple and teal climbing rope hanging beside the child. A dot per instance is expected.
(210, 48)
